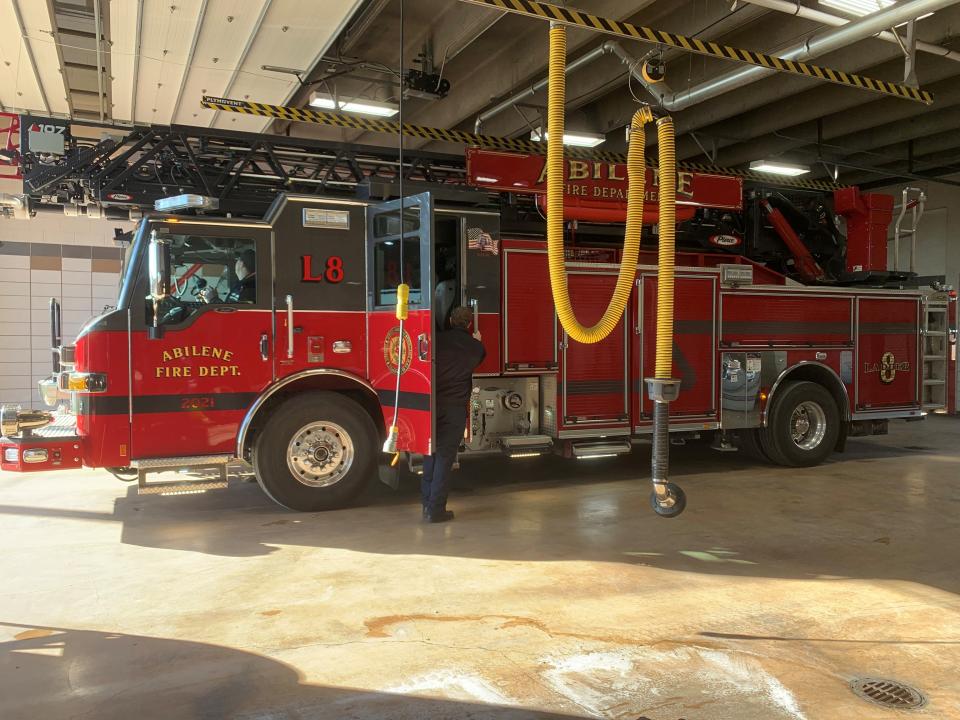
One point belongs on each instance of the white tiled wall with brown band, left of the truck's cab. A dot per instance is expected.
(72, 259)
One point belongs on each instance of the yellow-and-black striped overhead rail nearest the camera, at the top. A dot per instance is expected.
(578, 18)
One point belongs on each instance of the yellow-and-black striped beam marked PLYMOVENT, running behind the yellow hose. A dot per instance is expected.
(461, 137)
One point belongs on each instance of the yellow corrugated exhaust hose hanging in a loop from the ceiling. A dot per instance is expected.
(636, 174)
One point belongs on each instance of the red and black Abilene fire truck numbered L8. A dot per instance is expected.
(275, 342)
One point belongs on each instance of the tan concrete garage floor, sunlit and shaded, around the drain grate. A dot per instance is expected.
(556, 593)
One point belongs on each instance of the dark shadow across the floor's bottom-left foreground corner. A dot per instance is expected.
(55, 673)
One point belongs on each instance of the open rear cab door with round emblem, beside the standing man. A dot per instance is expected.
(400, 354)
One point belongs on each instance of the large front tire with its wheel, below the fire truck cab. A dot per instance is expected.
(327, 424)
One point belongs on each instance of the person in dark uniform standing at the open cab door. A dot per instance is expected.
(458, 355)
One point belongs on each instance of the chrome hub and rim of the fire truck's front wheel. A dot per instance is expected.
(320, 454)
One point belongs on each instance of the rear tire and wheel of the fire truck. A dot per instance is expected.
(806, 439)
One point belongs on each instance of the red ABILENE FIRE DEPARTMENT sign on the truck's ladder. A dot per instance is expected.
(591, 184)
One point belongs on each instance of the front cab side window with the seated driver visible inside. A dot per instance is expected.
(208, 270)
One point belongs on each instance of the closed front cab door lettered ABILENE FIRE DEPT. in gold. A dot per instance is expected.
(194, 377)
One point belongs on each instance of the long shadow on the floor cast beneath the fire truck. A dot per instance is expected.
(873, 512)
